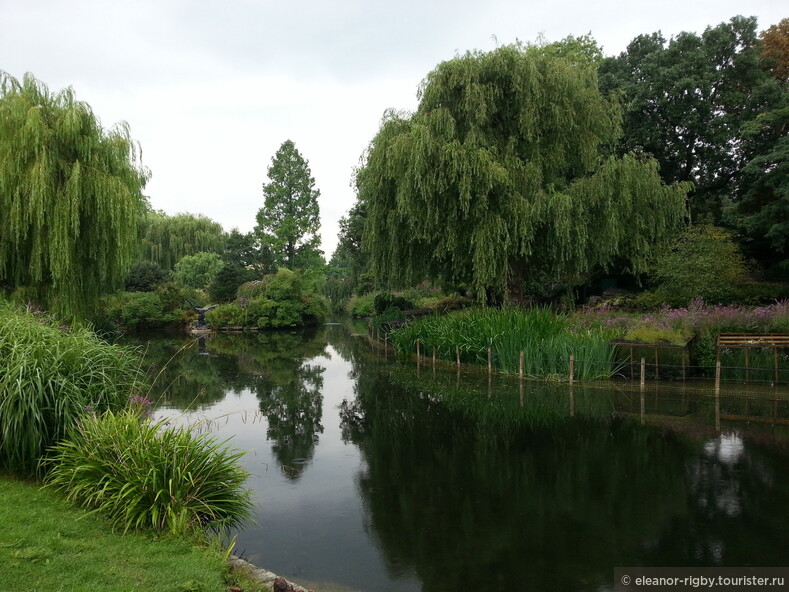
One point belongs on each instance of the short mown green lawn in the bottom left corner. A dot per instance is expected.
(46, 544)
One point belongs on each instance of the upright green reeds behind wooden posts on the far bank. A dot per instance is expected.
(546, 339)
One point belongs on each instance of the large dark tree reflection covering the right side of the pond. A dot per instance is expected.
(476, 498)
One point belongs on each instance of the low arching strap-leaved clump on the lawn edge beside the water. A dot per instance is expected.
(147, 475)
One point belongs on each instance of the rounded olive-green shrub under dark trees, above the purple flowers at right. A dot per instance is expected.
(703, 262)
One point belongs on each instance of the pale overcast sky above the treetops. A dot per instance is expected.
(211, 89)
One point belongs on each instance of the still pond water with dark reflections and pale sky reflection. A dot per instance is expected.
(376, 475)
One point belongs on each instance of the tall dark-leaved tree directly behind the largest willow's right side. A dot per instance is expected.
(686, 101)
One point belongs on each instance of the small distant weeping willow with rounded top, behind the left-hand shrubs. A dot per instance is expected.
(167, 239)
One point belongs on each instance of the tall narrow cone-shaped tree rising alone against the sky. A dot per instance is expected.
(289, 220)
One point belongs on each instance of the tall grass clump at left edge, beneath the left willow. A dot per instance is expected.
(49, 376)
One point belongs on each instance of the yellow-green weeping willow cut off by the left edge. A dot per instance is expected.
(70, 198)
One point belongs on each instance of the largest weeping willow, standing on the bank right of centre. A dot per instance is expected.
(501, 174)
